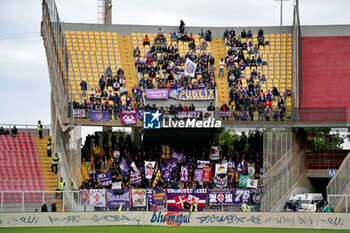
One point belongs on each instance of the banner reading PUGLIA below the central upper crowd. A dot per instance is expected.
(195, 94)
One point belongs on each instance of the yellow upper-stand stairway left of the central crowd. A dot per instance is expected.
(127, 59)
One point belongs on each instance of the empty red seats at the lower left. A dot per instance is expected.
(20, 167)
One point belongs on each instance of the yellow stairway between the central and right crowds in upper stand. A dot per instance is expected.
(218, 51)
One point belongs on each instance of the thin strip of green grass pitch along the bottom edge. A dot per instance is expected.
(156, 229)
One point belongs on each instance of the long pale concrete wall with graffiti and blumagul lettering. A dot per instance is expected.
(337, 221)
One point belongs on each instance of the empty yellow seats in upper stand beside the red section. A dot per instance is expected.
(278, 56)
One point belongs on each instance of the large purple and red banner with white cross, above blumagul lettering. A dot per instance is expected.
(182, 199)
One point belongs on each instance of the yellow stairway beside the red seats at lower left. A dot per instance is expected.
(51, 179)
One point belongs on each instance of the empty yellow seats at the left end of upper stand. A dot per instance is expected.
(91, 53)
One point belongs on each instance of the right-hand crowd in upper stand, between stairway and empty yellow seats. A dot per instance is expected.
(246, 93)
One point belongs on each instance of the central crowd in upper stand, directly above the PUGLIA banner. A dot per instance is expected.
(163, 65)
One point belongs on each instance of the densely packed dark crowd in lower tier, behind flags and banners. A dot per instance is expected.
(108, 151)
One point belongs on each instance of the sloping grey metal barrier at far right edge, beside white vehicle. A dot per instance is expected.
(340, 183)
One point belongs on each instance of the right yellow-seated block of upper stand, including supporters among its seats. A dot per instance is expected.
(275, 69)
